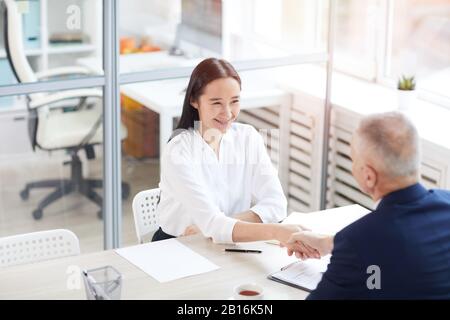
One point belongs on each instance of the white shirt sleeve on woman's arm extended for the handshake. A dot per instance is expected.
(180, 174)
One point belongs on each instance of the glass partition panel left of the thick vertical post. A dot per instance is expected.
(51, 111)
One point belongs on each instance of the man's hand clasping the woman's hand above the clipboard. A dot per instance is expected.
(323, 244)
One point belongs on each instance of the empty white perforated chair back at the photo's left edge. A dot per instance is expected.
(38, 246)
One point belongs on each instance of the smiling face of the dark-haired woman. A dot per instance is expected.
(219, 105)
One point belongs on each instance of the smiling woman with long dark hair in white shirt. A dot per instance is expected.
(216, 175)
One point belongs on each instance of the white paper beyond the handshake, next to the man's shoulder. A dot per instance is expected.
(328, 221)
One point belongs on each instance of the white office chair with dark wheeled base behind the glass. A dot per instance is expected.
(65, 120)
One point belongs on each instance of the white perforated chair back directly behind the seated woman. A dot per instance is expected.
(146, 219)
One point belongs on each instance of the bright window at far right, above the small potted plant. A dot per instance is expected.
(421, 43)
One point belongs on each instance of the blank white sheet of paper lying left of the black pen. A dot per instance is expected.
(167, 260)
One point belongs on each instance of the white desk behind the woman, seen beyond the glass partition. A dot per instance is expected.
(166, 96)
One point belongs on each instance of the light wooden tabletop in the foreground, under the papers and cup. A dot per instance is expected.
(52, 279)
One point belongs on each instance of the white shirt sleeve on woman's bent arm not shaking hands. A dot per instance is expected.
(271, 203)
